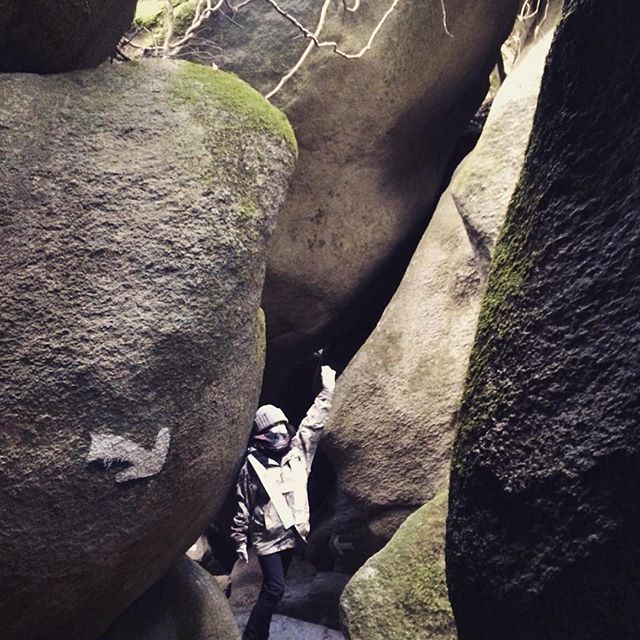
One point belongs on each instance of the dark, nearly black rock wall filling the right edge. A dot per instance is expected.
(544, 518)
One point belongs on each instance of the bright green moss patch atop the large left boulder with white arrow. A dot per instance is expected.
(198, 86)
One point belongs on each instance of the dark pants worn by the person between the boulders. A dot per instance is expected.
(274, 569)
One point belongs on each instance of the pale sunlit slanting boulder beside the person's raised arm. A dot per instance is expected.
(393, 418)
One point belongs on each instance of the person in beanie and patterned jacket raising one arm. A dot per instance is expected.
(273, 505)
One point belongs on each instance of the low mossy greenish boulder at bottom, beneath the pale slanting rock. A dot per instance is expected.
(401, 592)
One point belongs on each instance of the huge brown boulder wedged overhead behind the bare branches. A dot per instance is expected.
(375, 136)
